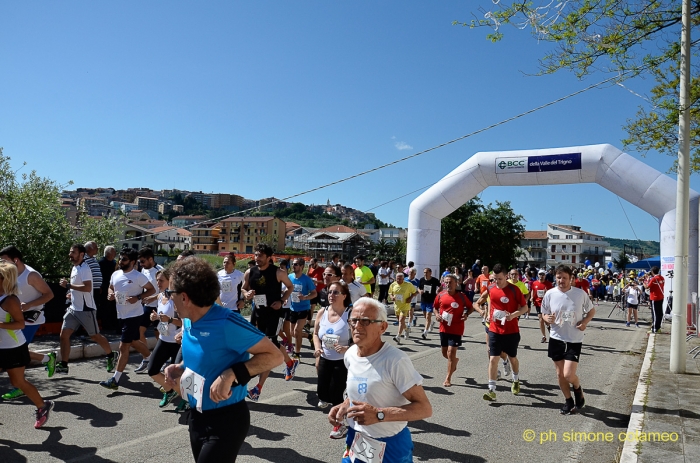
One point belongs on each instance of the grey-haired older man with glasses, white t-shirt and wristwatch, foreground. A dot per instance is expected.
(384, 391)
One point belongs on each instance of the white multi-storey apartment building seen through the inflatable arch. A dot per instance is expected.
(568, 244)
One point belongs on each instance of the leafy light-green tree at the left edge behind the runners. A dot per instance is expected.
(32, 219)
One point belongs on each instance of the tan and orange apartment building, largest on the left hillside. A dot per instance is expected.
(241, 234)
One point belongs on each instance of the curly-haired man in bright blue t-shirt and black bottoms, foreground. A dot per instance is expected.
(216, 346)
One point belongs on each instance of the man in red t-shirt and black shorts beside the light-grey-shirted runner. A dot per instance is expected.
(506, 304)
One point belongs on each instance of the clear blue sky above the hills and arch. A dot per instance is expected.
(272, 98)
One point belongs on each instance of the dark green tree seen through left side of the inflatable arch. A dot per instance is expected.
(475, 231)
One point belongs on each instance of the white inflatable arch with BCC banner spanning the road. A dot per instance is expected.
(618, 172)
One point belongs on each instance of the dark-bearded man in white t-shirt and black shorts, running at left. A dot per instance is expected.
(128, 287)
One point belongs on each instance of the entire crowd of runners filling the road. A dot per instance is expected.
(207, 353)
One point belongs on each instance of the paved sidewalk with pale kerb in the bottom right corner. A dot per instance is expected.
(665, 419)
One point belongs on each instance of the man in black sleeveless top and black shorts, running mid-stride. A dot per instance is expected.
(262, 284)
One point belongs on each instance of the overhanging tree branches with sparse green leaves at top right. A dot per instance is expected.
(621, 37)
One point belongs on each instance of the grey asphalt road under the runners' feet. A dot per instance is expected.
(91, 424)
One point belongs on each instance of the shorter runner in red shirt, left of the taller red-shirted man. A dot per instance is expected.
(451, 309)
